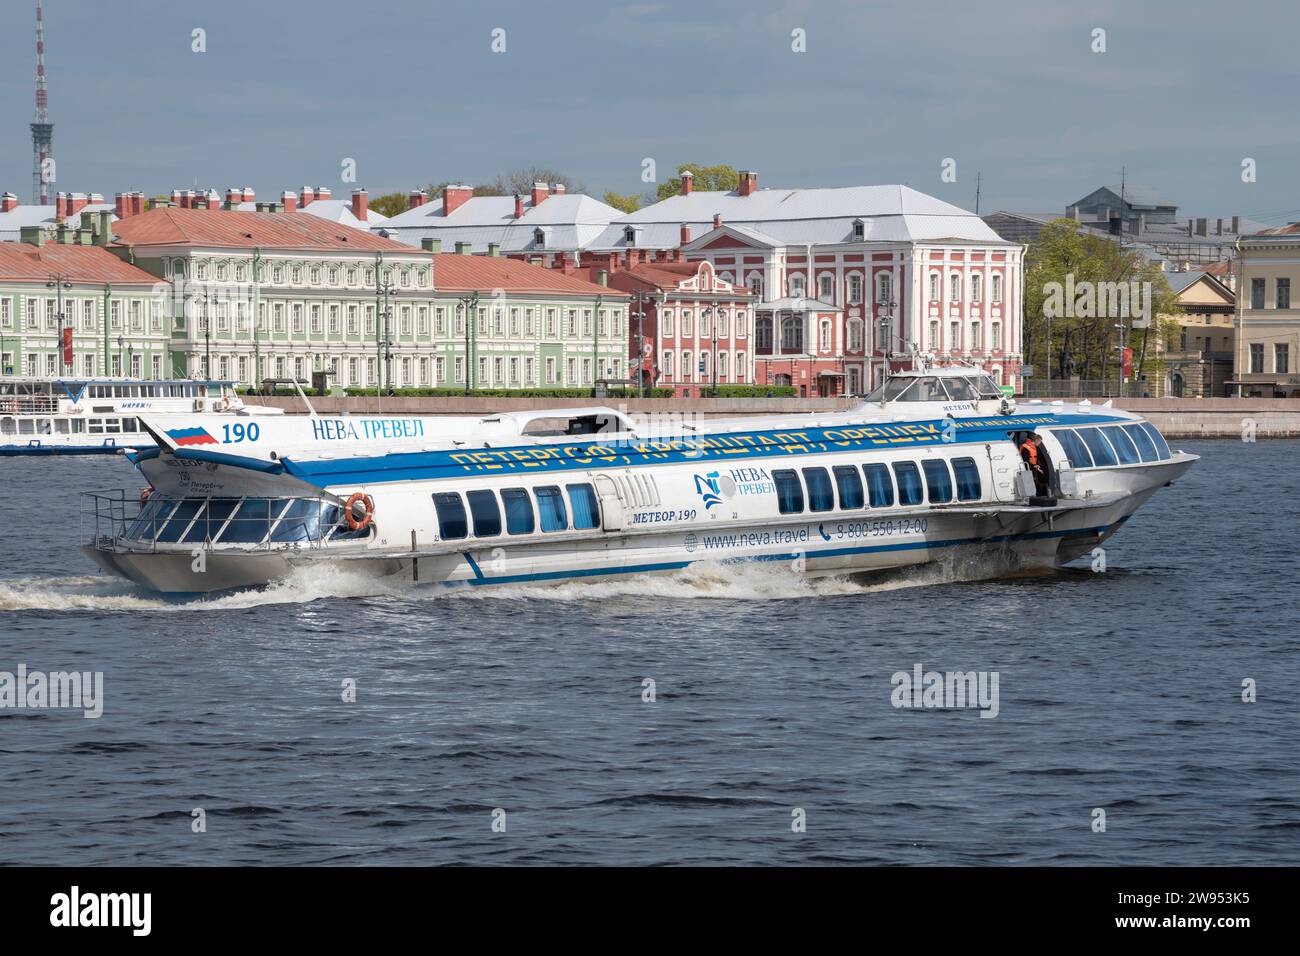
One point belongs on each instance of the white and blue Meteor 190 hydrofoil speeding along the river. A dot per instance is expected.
(508, 500)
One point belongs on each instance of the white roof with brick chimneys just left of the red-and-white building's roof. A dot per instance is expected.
(571, 222)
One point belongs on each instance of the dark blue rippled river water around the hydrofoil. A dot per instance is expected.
(1120, 691)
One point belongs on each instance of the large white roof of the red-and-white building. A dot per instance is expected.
(798, 217)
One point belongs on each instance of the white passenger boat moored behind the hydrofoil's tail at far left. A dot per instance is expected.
(88, 417)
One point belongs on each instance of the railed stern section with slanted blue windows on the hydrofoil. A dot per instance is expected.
(114, 521)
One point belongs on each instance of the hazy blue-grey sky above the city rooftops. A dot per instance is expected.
(289, 89)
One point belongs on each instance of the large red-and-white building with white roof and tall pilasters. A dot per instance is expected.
(848, 282)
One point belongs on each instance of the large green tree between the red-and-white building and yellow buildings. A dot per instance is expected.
(1067, 263)
